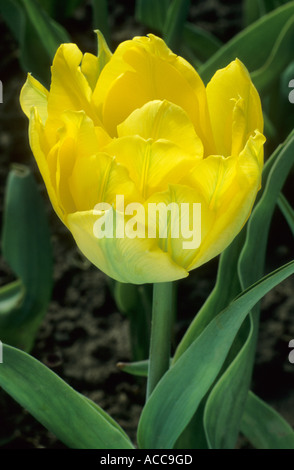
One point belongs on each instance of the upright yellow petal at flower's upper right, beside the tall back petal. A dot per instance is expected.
(234, 107)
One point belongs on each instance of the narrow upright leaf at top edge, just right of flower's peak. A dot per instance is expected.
(175, 22)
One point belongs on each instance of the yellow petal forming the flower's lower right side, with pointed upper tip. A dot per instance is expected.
(230, 194)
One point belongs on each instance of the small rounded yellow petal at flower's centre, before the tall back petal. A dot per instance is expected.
(163, 120)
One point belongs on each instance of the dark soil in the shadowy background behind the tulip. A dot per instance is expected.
(83, 335)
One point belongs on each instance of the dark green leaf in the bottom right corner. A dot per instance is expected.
(264, 427)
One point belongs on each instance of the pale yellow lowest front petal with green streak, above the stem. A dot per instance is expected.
(136, 261)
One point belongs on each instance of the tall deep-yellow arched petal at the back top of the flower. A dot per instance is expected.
(143, 70)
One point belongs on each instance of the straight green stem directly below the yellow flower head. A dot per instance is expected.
(161, 326)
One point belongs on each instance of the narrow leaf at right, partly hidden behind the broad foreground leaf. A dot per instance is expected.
(225, 405)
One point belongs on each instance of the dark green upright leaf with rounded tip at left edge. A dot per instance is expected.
(27, 249)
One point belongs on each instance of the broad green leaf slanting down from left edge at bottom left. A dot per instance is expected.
(76, 421)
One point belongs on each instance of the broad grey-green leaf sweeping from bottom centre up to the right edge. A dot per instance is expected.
(180, 391)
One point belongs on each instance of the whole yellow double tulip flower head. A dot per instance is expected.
(141, 124)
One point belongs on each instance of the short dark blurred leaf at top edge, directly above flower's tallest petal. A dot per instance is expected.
(152, 13)
